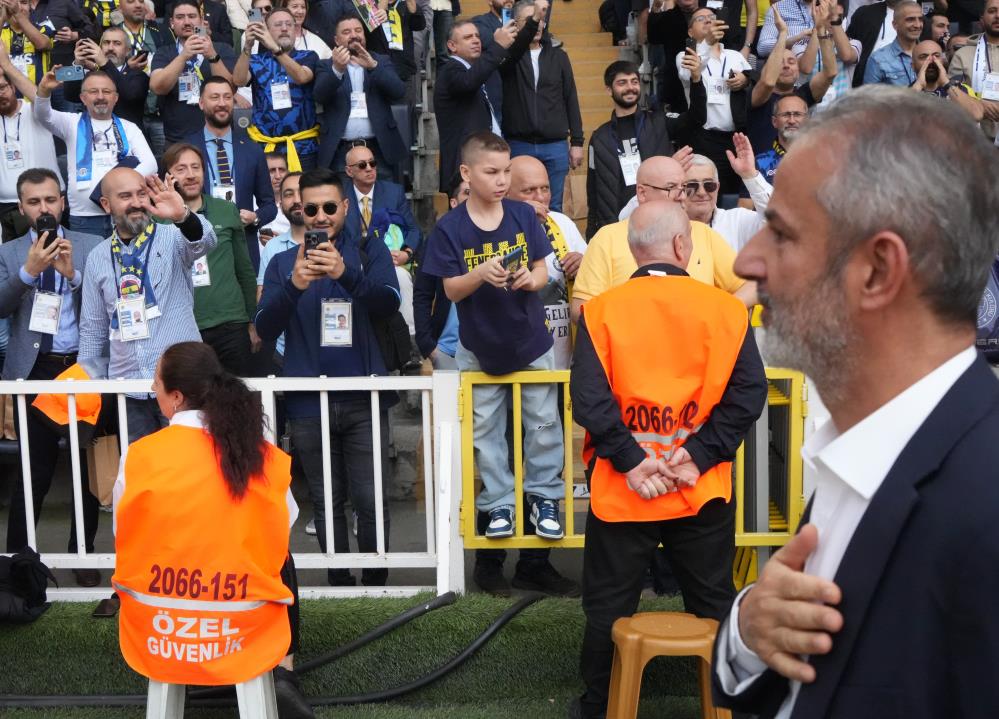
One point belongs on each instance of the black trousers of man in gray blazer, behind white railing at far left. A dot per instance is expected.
(43, 451)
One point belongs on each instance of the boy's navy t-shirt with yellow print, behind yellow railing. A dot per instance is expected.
(504, 330)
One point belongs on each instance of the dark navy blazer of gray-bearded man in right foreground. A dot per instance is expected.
(920, 581)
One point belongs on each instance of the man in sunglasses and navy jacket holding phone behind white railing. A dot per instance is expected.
(304, 293)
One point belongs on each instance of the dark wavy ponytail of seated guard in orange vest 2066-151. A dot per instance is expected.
(233, 415)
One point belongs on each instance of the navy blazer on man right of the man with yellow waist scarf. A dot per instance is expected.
(382, 87)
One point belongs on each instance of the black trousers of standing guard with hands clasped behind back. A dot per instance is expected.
(700, 549)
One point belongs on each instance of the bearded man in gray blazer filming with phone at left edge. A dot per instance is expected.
(40, 278)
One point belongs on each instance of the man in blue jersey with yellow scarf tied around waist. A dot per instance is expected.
(281, 78)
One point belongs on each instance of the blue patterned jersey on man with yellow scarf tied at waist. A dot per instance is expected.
(265, 71)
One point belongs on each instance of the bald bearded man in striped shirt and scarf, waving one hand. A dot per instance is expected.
(144, 267)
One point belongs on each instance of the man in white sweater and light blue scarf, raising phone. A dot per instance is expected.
(96, 142)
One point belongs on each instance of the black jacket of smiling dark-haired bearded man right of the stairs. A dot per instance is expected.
(606, 192)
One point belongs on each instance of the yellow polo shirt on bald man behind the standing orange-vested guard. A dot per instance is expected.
(608, 261)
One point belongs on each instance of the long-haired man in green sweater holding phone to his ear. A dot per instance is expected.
(225, 294)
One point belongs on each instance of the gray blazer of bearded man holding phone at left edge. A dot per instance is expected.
(16, 298)
